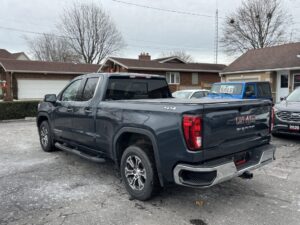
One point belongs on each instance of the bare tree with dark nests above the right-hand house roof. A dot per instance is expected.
(256, 24)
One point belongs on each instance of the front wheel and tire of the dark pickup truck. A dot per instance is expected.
(46, 137)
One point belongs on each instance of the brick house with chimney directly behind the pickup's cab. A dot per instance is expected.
(179, 74)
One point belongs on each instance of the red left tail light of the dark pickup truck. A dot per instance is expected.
(192, 129)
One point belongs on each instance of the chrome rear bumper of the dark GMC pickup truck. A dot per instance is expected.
(218, 171)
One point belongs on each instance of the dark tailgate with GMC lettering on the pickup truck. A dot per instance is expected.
(234, 126)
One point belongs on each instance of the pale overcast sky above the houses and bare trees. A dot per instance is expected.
(144, 30)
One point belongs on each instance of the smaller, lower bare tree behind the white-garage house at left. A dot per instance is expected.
(50, 47)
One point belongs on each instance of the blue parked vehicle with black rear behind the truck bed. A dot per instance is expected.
(241, 90)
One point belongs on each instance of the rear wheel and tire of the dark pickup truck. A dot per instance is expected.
(139, 172)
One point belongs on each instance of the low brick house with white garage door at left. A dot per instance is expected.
(26, 79)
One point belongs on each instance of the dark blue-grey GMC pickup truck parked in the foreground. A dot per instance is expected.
(156, 140)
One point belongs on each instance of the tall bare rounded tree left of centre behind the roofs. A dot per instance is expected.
(92, 33)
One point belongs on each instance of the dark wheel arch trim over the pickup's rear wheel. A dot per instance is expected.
(145, 133)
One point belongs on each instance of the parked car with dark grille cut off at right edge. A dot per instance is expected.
(287, 115)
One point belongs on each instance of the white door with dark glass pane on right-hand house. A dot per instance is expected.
(282, 84)
